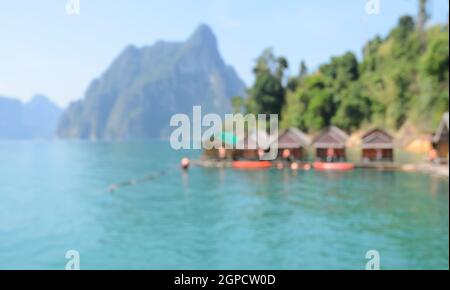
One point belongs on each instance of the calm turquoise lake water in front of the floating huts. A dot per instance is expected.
(54, 198)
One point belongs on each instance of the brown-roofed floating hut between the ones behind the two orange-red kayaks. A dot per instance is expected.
(292, 145)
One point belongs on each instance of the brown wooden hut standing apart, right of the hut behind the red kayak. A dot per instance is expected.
(377, 145)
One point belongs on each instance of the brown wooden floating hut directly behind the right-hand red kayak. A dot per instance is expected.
(330, 145)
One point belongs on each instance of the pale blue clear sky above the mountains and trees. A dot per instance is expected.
(44, 50)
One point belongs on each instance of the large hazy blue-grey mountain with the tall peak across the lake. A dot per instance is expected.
(136, 96)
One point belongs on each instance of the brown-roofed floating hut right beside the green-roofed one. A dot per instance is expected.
(254, 145)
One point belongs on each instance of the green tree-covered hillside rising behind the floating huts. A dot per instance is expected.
(402, 77)
